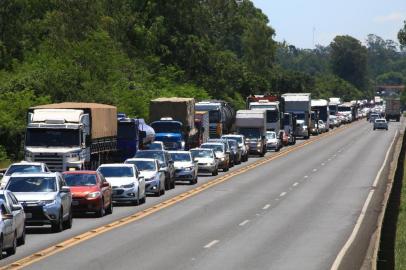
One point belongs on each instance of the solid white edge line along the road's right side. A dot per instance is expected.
(351, 239)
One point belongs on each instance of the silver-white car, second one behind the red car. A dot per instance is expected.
(153, 174)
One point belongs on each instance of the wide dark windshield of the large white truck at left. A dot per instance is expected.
(52, 137)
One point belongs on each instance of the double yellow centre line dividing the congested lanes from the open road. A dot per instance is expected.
(68, 243)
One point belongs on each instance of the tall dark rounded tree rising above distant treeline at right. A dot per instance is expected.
(349, 60)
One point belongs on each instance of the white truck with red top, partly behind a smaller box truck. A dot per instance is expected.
(271, 104)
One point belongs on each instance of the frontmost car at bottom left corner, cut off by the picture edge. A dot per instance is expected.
(8, 232)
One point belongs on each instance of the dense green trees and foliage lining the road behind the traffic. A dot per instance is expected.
(126, 52)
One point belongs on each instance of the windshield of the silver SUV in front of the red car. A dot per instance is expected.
(32, 184)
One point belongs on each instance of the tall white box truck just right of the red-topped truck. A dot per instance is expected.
(300, 105)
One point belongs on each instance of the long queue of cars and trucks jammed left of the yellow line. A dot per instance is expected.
(83, 158)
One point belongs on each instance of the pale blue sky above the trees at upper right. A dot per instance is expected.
(297, 21)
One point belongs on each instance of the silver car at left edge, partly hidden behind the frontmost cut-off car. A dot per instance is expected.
(16, 209)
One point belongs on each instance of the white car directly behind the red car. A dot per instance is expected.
(128, 185)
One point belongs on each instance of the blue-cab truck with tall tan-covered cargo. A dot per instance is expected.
(173, 120)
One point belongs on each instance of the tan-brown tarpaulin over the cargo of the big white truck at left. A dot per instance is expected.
(103, 118)
